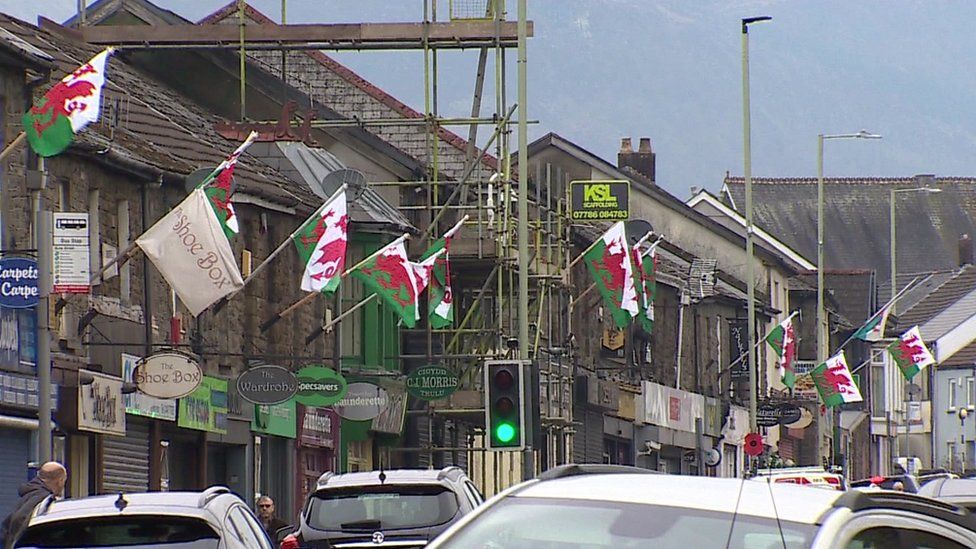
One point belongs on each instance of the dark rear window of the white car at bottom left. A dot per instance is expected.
(130, 531)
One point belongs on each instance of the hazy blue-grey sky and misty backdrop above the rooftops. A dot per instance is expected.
(672, 71)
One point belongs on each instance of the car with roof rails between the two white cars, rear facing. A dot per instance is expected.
(403, 508)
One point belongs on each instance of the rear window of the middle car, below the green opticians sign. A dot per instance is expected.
(381, 507)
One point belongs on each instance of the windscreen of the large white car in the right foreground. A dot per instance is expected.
(548, 523)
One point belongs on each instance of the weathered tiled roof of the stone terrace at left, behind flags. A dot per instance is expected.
(161, 131)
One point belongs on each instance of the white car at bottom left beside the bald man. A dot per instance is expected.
(212, 519)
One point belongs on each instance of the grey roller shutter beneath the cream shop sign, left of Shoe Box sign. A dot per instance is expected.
(126, 459)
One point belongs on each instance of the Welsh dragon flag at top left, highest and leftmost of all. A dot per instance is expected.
(70, 105)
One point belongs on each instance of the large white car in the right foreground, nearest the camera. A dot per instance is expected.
(579, 506)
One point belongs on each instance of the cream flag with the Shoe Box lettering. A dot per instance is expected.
(190, 249)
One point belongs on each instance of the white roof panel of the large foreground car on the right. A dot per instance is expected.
(728, 495)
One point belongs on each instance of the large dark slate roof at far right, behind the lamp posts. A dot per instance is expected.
(856, 212)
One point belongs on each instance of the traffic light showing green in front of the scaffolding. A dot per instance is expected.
(504, 405)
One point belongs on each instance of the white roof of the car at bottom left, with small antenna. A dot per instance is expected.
(208, 505)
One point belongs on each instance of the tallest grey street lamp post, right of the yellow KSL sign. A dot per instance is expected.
(747, 169)
